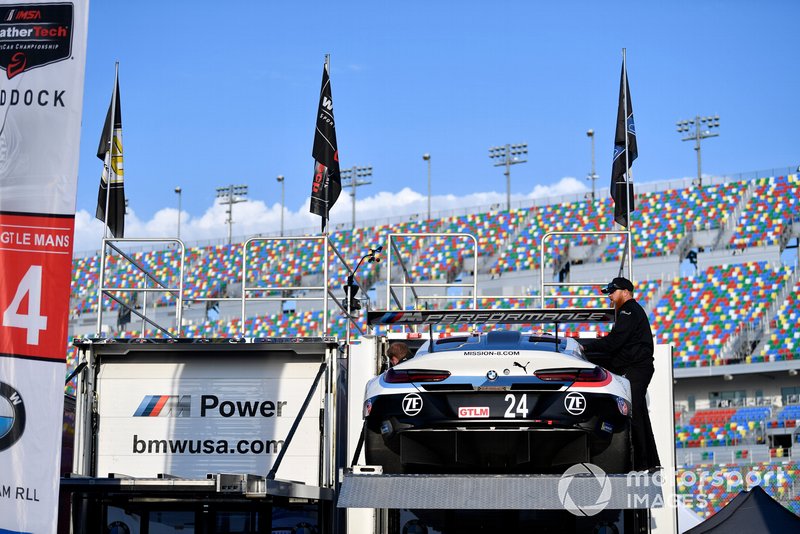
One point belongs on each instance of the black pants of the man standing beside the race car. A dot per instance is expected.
(645, 454)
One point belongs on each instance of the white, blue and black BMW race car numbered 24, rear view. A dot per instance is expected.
(497, 402)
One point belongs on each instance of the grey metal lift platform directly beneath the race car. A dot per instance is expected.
(501, 492)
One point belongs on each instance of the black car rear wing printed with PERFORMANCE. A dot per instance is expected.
(519, 316)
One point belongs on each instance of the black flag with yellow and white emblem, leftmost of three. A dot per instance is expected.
(111, 195)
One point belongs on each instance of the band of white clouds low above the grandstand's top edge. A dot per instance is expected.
(256, 217)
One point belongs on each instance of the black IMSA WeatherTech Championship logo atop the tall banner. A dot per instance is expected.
(33, 35)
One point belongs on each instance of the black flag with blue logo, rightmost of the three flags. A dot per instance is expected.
(621, 188)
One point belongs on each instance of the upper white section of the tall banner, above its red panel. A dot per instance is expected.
(43, 54)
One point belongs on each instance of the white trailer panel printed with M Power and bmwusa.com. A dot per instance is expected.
(189, 418)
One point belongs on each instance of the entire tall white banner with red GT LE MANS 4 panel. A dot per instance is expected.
(42, 60)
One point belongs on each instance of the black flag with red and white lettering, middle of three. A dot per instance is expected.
(327, 182)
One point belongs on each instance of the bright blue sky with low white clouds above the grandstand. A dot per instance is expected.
(217, 93)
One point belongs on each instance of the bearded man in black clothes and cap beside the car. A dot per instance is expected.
(628, 350)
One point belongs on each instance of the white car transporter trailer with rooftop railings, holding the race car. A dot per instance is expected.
(263, 434)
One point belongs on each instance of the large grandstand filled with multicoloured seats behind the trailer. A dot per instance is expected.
(731, 314)
